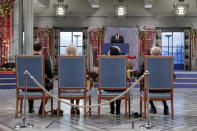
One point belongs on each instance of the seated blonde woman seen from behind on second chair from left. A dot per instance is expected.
(71, 50)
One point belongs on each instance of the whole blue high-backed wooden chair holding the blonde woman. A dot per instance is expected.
(72, 81)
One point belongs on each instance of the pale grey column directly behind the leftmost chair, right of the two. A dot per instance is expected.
(28, 26)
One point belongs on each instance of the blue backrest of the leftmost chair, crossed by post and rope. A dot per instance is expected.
(35, 65)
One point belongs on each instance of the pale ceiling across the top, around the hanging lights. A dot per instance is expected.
(135, 8)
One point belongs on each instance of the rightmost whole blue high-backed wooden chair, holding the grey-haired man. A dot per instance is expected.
(160, 80)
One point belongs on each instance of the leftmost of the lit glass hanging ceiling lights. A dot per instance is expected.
(60, 8)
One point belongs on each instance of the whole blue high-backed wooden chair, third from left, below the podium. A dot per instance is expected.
(112, 76)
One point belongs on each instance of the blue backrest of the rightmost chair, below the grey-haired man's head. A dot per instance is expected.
(161, 69)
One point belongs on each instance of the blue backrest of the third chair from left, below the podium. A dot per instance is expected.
(112, 72)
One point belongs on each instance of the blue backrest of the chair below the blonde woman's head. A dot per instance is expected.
(72, 71)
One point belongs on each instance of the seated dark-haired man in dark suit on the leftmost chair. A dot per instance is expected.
(38, 50)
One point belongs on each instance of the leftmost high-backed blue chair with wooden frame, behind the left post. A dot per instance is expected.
(35, 66)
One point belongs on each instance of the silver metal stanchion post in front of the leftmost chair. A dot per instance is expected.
(25, 124)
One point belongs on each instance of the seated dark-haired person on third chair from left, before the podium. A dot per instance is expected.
(115, 51)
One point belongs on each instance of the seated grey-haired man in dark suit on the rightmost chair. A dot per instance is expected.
(155, 50)
